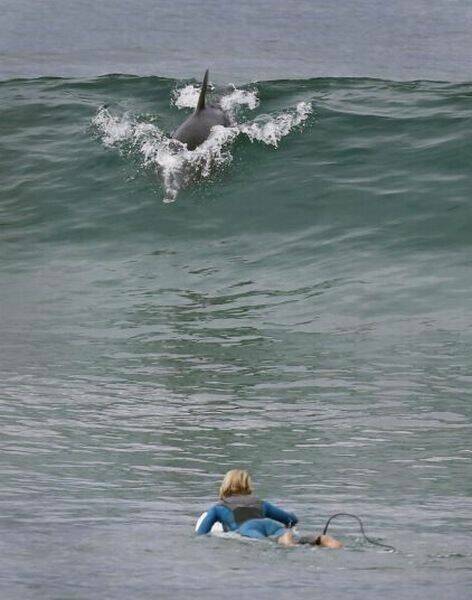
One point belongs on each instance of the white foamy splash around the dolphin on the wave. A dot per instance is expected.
(135, 135)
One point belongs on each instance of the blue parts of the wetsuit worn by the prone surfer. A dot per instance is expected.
(267, 525)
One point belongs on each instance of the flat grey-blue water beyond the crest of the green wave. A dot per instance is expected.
(239, 41)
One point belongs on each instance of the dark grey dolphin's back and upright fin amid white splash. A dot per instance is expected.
(196, 129)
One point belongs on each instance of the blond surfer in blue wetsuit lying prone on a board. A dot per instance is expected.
(239, 510)
